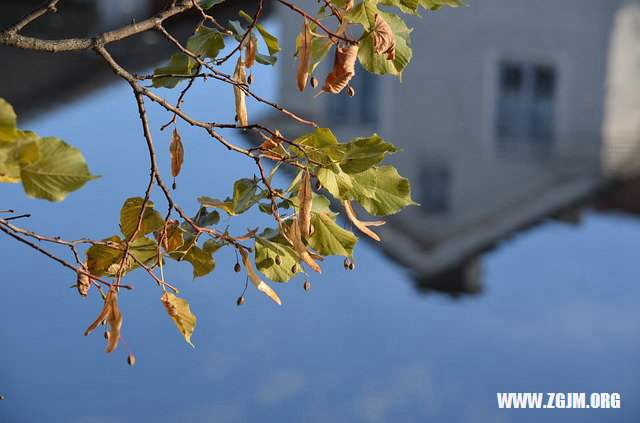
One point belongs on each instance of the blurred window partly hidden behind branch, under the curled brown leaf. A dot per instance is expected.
(359, 109)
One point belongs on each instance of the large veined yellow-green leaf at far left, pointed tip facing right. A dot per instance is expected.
(60, 170)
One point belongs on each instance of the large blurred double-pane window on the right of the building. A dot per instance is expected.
(526, 107)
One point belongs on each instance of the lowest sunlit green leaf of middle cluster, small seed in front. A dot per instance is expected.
(265, 253)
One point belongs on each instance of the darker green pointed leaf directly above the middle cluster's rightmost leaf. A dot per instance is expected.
(362, 153)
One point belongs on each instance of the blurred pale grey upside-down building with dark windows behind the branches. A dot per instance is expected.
(510, 111)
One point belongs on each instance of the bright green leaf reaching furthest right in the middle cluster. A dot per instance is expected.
(381, 191)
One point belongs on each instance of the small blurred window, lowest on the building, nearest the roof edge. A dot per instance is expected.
(435, 187)
